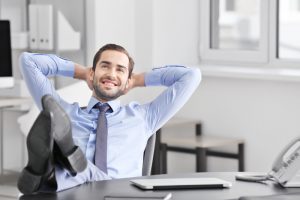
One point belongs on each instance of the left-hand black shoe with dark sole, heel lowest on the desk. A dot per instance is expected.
(40, 164)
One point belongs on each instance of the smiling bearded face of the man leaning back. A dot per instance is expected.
(110, 76)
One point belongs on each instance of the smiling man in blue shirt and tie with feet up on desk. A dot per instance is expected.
(128, 127)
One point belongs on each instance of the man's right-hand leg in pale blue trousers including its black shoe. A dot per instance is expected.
(72, 167)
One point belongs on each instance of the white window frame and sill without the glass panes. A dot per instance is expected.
(274, 69)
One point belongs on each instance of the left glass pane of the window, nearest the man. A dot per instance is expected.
(237, 26)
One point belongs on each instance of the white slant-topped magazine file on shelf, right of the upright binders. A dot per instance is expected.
(67, 37)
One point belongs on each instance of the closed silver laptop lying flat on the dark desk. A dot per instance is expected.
(180, 183)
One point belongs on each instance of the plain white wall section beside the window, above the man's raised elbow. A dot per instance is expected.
(176, 32)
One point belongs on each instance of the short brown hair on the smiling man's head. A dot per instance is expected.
(114, 47)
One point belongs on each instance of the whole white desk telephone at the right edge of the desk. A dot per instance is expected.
(284, 169)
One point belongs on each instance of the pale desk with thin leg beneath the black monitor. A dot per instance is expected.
(8, 102)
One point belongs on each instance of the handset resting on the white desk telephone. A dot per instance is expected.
(287, 163)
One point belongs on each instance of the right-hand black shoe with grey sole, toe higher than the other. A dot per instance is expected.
(69, 155)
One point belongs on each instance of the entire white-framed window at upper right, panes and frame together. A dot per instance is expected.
(250, 31)
